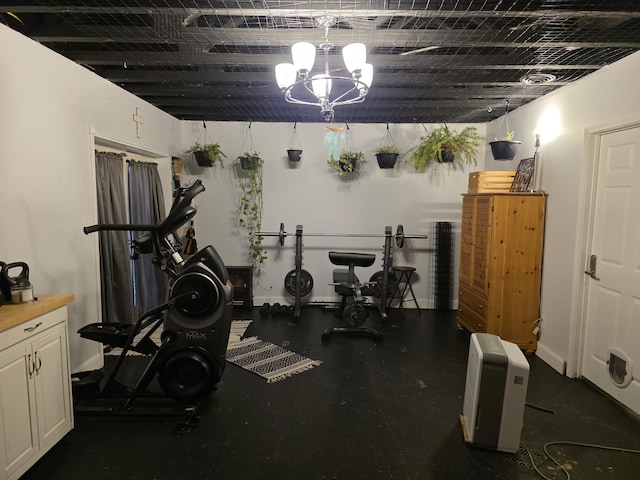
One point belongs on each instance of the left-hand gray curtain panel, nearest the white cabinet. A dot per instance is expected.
(115, 263)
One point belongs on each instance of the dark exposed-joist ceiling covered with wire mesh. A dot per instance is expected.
(434, 61)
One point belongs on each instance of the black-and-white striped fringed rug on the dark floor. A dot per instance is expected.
(268, 360)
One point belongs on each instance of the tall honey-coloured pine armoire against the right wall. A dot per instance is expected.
(501, 264)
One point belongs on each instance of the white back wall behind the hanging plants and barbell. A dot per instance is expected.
(311, 194)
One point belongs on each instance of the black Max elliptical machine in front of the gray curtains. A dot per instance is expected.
(196, 320)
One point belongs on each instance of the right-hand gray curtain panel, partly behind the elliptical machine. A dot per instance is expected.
(146, 206)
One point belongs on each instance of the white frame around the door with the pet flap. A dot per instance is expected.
(586, 204)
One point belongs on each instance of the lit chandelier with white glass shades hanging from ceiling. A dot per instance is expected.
(299, 87)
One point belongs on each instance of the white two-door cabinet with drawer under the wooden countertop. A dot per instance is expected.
(35, 390)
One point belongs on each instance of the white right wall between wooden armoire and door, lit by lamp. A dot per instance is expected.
(608, 96)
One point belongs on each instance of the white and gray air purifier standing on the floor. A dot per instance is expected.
(495, 393)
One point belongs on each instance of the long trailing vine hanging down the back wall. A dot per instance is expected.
(250, 208)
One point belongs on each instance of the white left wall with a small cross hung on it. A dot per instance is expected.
(48, 107)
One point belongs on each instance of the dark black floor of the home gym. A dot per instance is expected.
(370, 411)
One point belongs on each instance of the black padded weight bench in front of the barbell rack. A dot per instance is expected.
(353, 304)
